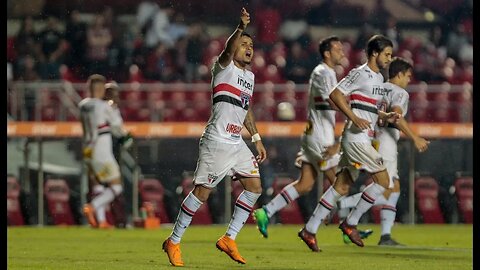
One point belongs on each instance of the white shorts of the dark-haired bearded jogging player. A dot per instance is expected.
(358, 156)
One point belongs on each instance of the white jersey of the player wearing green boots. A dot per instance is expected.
(321, 116)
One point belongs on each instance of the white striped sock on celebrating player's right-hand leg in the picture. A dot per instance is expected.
(243, 207)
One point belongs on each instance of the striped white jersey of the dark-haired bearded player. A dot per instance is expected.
(365, 88)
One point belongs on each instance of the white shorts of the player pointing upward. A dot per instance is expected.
(217, 159)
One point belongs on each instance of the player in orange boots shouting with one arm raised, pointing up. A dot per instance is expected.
(222, 150)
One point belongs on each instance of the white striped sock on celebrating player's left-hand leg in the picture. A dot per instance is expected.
(188, 208)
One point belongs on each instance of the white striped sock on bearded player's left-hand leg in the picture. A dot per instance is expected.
(324, 207)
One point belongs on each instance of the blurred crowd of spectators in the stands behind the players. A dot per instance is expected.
(166, 46)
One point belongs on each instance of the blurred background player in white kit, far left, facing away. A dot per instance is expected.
(99, 121)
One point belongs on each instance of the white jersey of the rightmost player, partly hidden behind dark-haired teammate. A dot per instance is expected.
(387, 134)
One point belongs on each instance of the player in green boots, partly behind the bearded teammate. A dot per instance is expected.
(318, 152)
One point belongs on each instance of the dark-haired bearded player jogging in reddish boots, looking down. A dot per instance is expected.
(364, 85)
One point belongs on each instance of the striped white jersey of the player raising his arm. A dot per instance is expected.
(232, 93)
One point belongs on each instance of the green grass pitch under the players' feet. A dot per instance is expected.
(427, 247)
